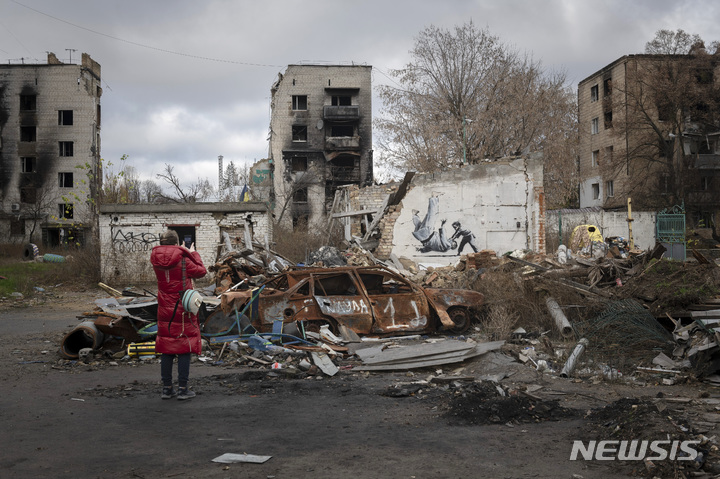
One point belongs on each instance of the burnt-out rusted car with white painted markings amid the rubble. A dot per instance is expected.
(365, 299)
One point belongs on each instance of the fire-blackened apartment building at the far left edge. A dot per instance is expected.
(49, 150)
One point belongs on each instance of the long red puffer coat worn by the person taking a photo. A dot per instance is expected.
(183, 334)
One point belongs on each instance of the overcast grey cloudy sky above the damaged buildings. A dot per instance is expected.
(187, 80)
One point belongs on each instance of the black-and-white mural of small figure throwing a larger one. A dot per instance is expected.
(433, 239)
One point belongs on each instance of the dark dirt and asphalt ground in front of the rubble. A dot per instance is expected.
(105, 419)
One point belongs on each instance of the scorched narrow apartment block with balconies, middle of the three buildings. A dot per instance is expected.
(320, 138)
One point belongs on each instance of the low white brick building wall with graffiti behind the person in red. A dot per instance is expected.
(129, 232)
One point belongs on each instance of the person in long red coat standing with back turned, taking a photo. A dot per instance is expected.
(179, 334)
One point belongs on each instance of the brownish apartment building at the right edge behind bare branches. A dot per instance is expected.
(643, 138)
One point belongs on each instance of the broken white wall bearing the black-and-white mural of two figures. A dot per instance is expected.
(495, 205)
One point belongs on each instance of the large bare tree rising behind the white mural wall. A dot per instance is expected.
(465, 97)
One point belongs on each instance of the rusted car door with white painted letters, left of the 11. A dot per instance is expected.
(339, 296)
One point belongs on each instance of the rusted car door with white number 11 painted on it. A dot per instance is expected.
(397, 305)
